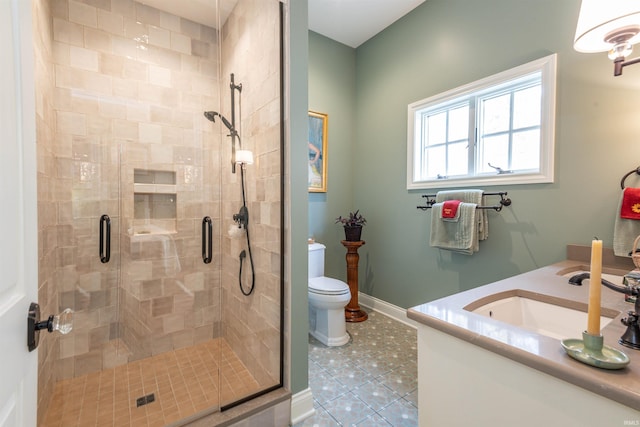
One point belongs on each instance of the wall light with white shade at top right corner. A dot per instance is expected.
(612, 26)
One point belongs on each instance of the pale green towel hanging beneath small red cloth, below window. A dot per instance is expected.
(458, 236)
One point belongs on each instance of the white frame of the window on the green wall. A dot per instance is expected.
(547, 67)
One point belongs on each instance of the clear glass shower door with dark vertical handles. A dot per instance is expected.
(135, 154)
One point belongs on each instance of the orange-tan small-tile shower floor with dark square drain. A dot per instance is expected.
(183, 382)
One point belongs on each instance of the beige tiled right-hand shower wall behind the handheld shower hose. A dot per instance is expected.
(252, 324)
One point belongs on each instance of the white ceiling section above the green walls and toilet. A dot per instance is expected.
(353, 22)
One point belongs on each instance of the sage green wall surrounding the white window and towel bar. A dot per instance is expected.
(443, 44)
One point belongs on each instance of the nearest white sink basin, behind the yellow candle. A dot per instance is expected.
(526, 310)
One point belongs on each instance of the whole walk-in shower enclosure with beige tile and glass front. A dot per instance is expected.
(159, 335)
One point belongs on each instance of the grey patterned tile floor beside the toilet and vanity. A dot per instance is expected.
(371, 381)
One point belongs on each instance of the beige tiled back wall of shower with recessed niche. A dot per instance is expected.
(131, 85)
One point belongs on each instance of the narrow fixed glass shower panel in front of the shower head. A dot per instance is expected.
(252, 309)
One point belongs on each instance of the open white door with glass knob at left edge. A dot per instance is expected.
(18, 218)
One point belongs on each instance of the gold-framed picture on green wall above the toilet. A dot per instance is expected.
(317, 152)
